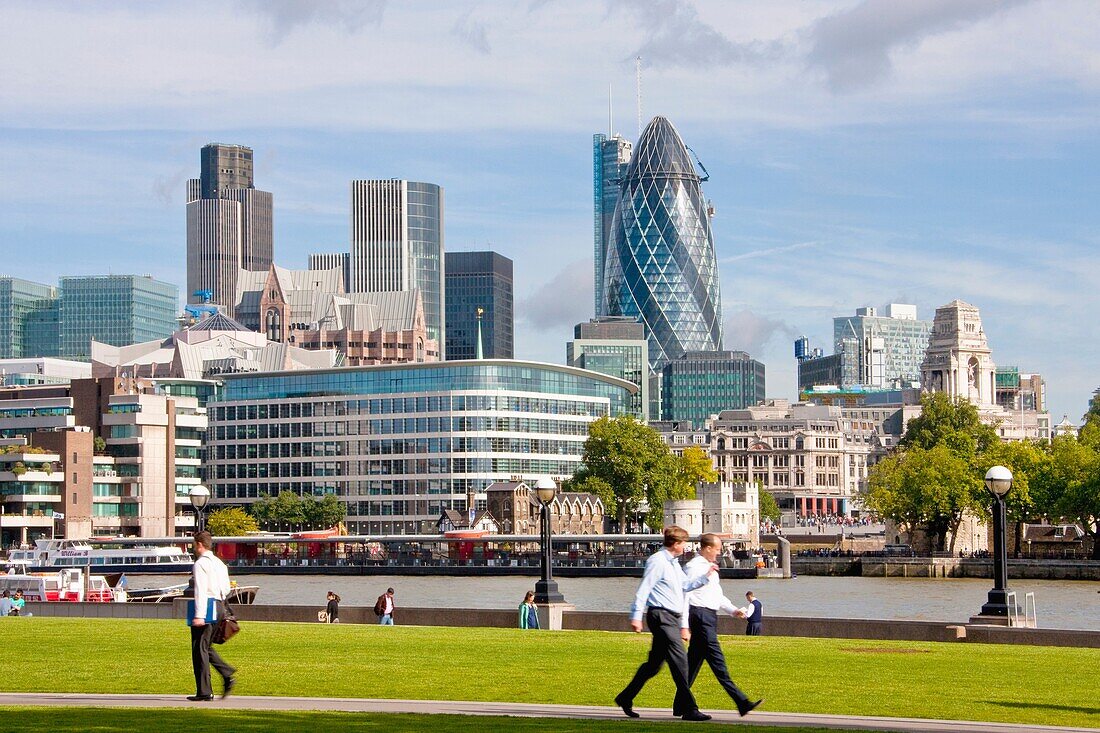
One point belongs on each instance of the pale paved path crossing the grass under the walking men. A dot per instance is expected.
(522, 710)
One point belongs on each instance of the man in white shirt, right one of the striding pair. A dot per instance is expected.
(701, 618)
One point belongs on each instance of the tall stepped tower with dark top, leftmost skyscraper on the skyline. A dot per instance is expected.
(229, 225)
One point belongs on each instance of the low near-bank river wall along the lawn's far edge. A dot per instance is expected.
(884, 630)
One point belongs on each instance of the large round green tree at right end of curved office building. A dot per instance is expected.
(626, 463)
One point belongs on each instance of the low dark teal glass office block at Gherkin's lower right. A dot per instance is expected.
(700, 385)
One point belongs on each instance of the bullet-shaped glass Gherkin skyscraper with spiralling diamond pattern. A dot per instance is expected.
(661, 267)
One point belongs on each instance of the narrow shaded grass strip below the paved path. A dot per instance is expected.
(102, 720)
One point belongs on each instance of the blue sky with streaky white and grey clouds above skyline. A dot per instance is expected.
(861, 152)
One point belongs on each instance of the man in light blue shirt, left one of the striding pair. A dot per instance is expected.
(661, 598)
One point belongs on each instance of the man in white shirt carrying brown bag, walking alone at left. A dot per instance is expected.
(211, 578)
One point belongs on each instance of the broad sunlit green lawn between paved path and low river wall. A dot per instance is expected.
(962, 682)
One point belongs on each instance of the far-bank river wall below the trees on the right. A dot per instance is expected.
(926, 567)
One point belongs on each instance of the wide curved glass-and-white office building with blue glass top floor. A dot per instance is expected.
(402, 443)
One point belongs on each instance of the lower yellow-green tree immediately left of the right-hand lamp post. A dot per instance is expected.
(925, 489)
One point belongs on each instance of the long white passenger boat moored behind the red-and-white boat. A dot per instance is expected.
(50, 555)
